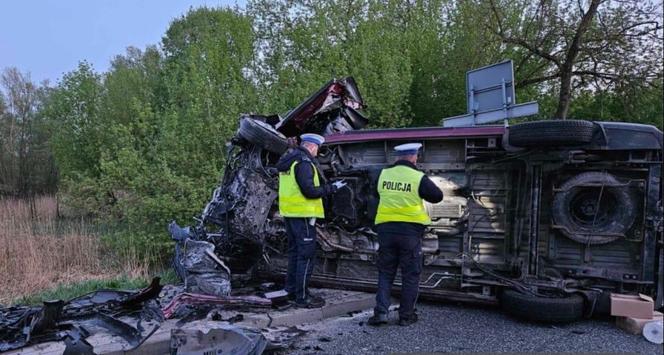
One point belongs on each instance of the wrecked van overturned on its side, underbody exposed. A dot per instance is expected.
(544, 217)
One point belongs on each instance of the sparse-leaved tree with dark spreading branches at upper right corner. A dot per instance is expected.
(601, 44)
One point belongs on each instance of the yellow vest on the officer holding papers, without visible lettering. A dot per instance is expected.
(292, 203)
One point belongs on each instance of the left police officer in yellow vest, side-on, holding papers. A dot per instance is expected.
(300, 203)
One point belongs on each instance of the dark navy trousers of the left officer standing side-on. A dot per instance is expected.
(301, 255)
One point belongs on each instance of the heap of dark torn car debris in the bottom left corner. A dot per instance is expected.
(134, 316)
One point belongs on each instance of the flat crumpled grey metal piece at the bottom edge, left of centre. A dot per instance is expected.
(226, 339)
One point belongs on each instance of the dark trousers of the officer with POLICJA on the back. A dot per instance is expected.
(404, 252)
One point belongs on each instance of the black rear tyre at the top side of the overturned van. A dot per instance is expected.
(551, 133)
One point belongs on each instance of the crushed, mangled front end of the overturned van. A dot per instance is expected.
(240, 221)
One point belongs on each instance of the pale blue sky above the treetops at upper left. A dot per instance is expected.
(49, 37)
